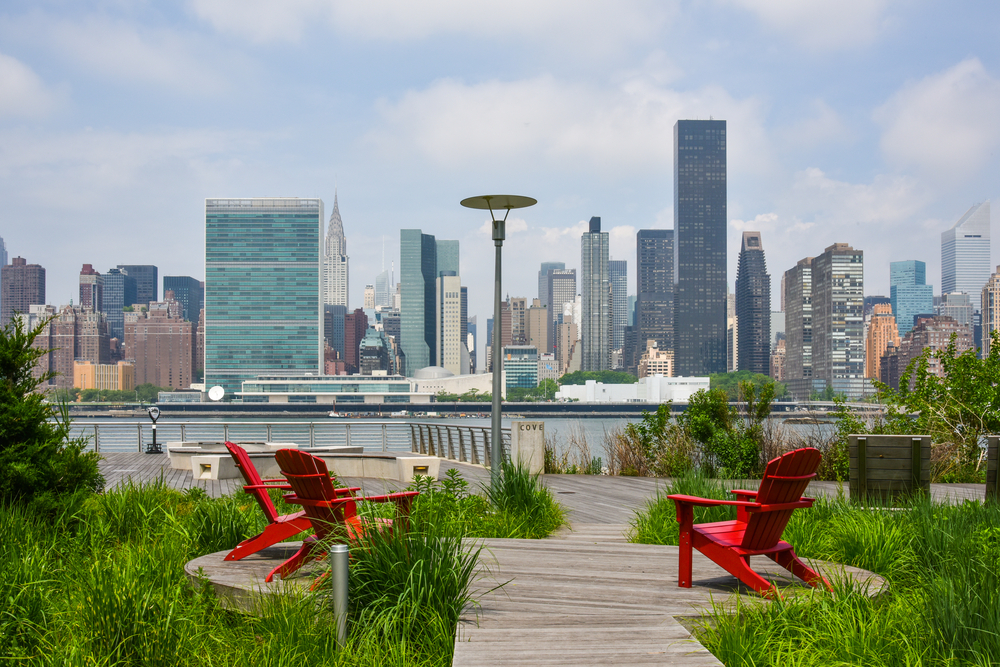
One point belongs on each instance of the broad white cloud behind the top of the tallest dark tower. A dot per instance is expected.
(544, 122)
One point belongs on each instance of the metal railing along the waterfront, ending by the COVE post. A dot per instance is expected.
(457, 442)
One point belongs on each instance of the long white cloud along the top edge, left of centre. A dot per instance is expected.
(597, 23)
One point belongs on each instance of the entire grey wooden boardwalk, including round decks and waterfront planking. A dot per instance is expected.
(585, 596)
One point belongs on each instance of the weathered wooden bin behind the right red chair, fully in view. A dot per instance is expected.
(887, 467)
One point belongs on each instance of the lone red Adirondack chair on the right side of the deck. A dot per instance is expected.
(761, 519)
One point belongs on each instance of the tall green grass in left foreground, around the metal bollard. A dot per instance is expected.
(102, 583)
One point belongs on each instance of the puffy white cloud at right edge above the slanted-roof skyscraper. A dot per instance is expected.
(945, 124)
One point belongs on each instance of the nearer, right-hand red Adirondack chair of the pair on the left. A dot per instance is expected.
(331, 516)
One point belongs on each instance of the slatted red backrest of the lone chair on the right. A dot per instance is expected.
(785, 480)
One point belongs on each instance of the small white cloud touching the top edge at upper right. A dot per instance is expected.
(821, 24)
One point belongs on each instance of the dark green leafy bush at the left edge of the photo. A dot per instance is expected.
(39, 461)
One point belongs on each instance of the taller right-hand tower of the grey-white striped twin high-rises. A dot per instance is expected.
(838, 349)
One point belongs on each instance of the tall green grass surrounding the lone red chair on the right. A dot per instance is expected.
(942, 606)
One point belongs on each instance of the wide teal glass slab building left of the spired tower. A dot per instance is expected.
(263, 288)
